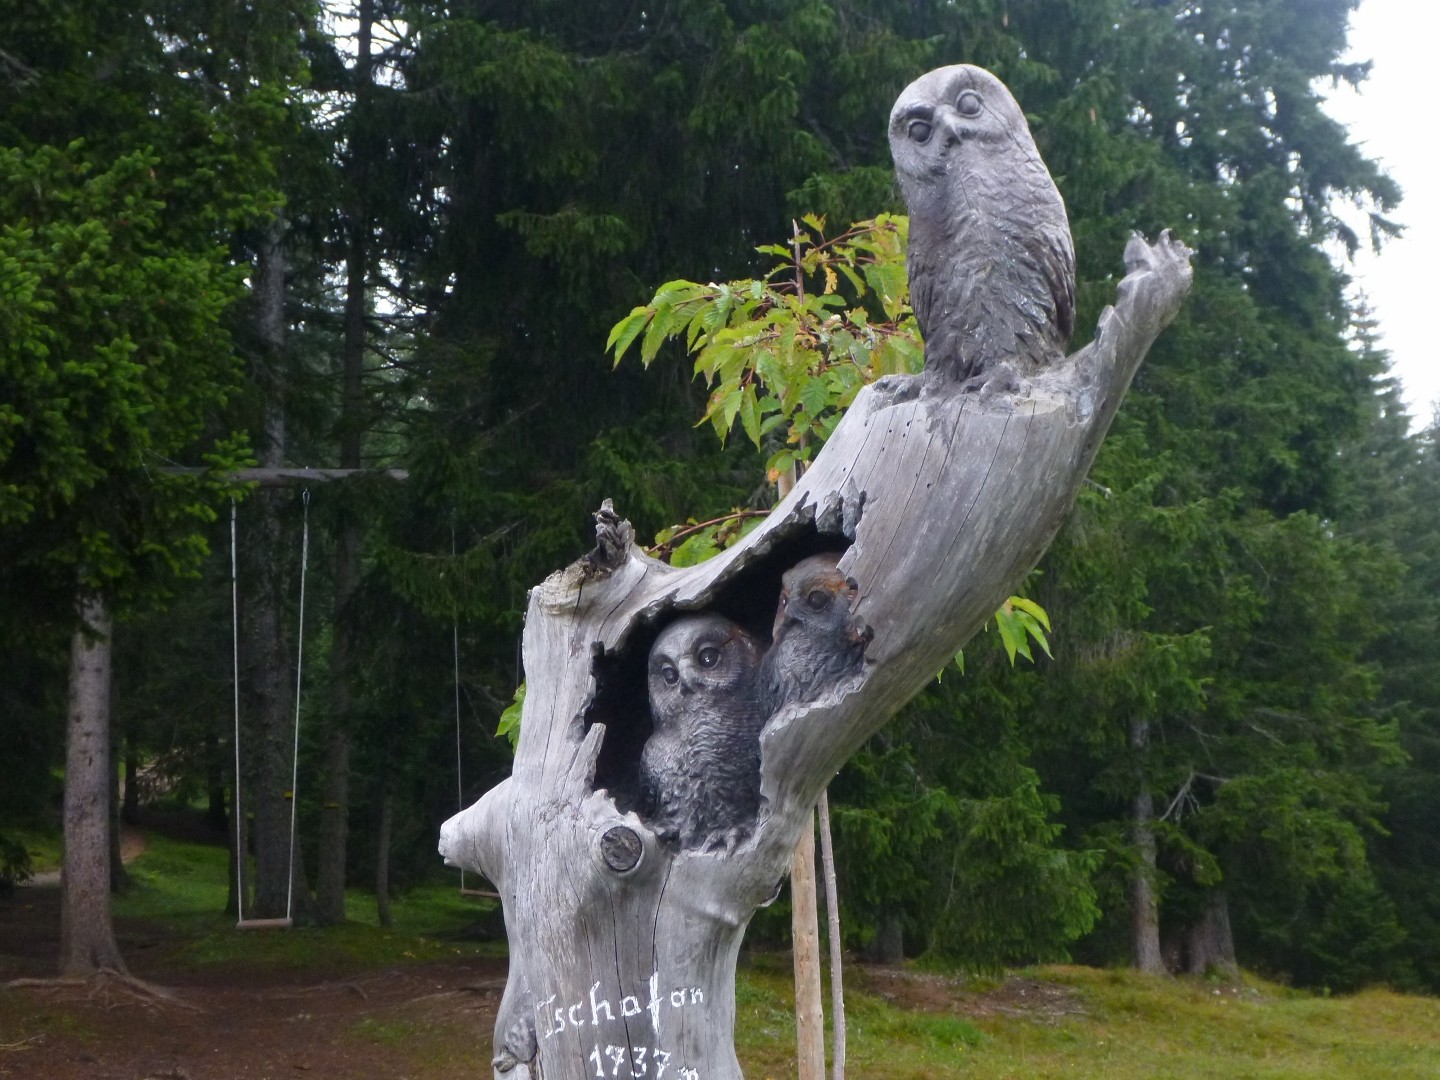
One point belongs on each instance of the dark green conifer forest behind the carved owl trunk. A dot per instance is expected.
(398, 235)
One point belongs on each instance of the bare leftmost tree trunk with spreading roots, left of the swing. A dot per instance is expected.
(87, 935)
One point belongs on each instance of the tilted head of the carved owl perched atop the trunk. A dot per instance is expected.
(958, 116)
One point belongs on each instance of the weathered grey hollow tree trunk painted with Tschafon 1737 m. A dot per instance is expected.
(942, 498)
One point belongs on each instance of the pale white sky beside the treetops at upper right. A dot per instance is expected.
(1393, 122)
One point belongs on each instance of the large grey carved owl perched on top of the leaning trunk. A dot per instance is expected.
(991, 261)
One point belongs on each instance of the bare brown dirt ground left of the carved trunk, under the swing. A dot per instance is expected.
(430, 1020)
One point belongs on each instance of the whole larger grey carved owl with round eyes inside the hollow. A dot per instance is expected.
(701, 770)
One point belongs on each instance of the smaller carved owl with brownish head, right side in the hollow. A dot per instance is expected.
(817, 639)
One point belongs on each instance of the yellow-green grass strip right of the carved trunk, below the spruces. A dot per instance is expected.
(1111, 1026)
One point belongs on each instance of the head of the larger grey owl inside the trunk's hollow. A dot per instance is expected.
(696, 660)
